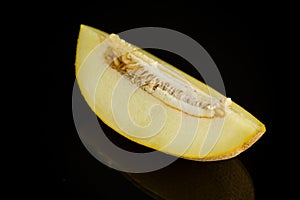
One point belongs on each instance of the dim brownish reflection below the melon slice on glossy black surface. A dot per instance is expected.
(185, 179)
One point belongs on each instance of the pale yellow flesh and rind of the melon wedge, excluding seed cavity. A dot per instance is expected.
(146, 120)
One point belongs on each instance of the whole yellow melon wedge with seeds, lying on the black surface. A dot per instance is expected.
(156, 105)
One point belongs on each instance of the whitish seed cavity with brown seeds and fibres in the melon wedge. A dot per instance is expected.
(162, 85)
